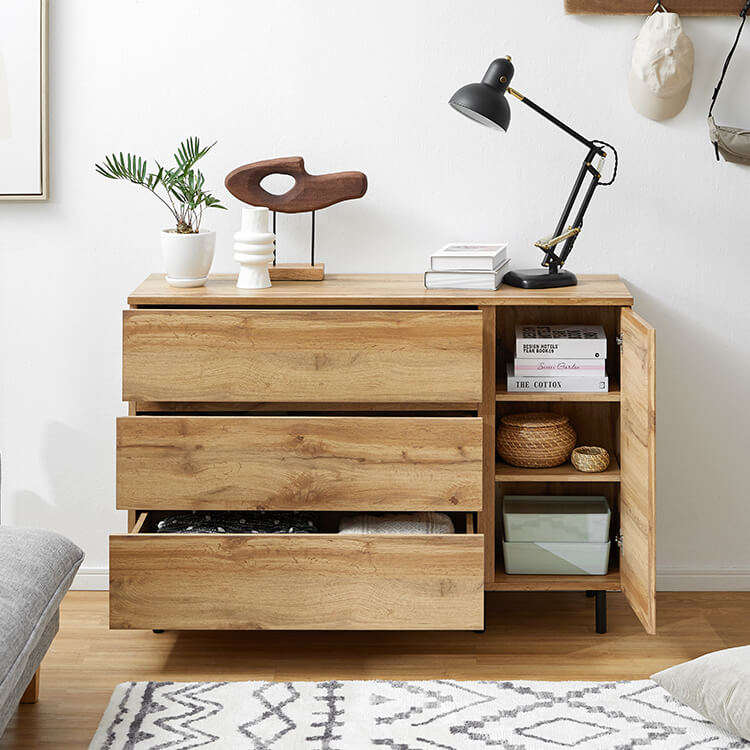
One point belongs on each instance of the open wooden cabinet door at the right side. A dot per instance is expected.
(637, 467)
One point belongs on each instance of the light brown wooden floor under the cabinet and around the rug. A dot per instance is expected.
(547, 636)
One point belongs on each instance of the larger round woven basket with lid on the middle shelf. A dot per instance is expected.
(535, 440)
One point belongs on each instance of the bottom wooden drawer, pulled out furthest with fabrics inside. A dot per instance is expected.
(297, 581)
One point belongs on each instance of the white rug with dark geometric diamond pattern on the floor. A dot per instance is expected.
(435, 715)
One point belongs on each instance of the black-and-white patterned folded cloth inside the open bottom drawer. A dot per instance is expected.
(240, 522)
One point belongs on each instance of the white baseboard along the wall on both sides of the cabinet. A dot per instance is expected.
(668, 578)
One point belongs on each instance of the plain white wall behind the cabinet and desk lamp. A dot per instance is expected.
(364, 85)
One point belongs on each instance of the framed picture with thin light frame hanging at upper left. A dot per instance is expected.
(24, 120)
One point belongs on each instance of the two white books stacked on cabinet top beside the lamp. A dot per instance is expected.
(467, 267)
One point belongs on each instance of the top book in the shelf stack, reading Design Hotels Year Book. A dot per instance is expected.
(561, 342)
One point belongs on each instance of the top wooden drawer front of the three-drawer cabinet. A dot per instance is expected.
(302, 356)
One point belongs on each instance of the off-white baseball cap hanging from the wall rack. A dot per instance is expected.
(662, 69)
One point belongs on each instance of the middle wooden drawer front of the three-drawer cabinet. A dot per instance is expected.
(299, 463)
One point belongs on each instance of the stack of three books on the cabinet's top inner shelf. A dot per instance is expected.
(562, 358)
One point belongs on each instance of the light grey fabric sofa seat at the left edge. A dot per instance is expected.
(36, 569)
